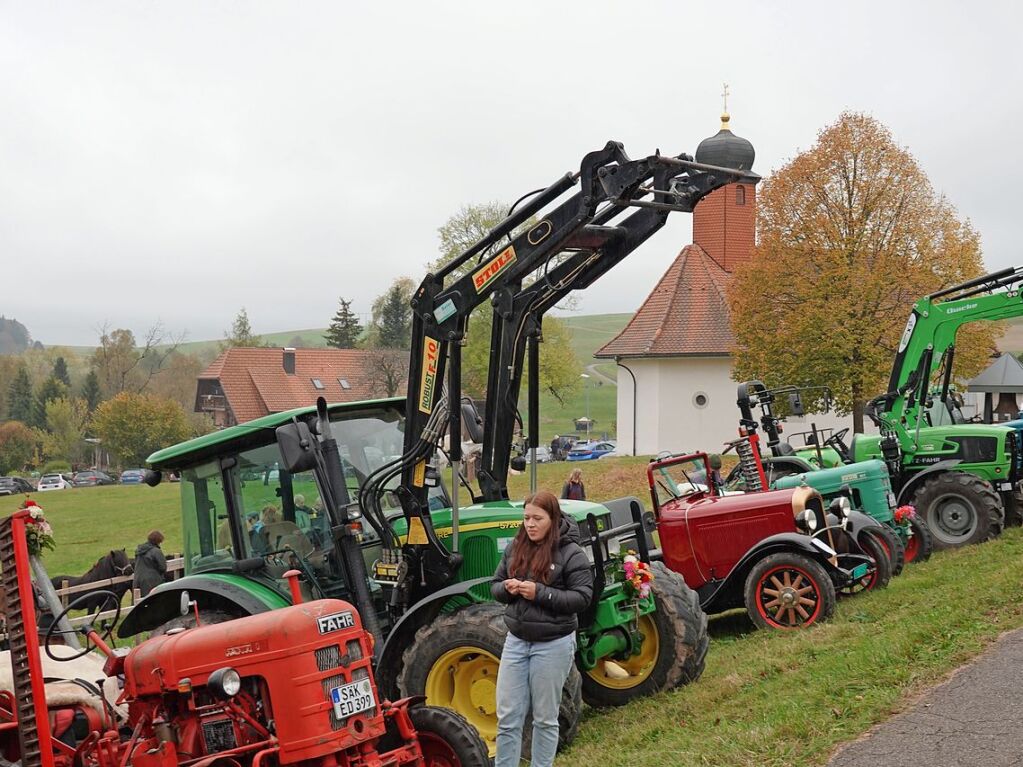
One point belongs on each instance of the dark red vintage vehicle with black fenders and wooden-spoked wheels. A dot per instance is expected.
(780, 554)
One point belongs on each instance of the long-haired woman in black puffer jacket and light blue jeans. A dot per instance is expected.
(545, 579)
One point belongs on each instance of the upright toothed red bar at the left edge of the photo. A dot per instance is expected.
(24, 697)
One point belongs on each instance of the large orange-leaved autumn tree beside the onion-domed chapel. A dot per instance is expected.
(851, 234)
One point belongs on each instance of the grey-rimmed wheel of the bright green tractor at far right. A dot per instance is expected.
(959, 509)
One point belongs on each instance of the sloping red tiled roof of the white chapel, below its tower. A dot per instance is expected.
(685, 315)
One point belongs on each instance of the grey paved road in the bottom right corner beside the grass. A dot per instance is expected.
(973, 720)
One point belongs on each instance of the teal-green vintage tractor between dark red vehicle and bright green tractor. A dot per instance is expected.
(867, 484)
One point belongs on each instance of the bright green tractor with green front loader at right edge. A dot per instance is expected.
(961, 478)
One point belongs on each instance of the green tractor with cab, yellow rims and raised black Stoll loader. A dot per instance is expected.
(351, 495)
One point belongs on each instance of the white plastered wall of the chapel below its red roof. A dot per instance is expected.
(668, 413)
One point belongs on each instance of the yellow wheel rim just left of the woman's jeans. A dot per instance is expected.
(465, 680)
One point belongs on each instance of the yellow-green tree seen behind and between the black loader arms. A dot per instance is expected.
(559, 365)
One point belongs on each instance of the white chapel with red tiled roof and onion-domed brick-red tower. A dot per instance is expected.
(676, 390)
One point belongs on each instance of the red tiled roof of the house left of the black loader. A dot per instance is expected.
(255, 383)
